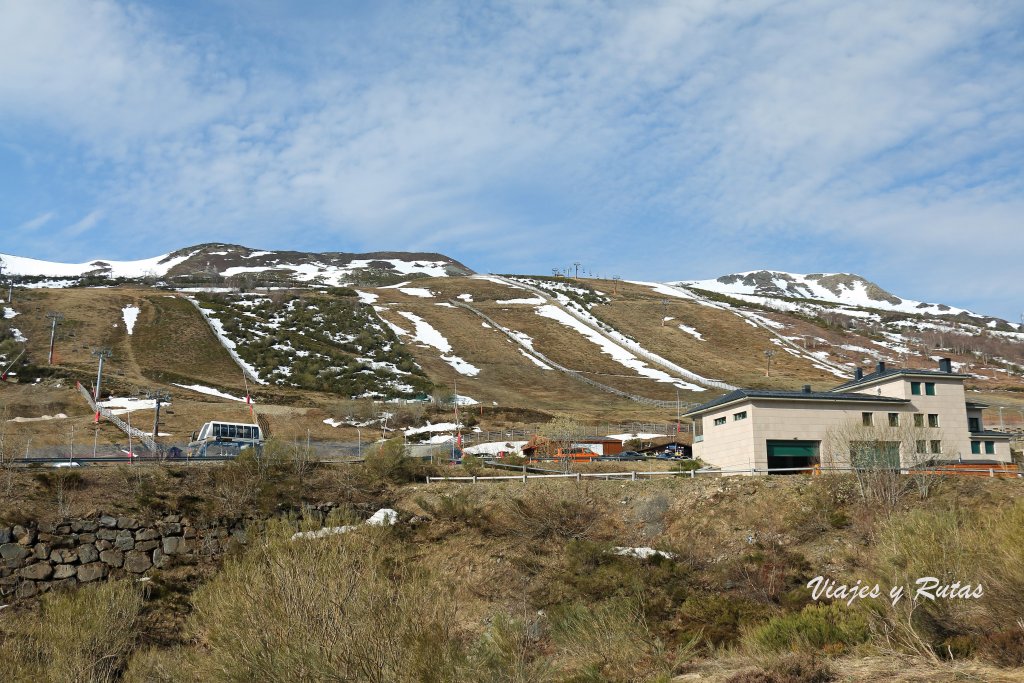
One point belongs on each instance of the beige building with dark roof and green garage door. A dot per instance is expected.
(906, 417)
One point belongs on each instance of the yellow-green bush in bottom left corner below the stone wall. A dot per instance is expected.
(82, 635)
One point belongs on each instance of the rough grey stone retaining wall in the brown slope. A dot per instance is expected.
(35, 559)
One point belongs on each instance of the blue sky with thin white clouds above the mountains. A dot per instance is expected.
(658, 141)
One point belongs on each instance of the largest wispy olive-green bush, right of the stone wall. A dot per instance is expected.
(352, 607)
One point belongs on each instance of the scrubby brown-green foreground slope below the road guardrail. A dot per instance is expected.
(506, 582)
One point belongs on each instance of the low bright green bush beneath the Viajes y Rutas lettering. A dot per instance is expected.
(834, 628)
